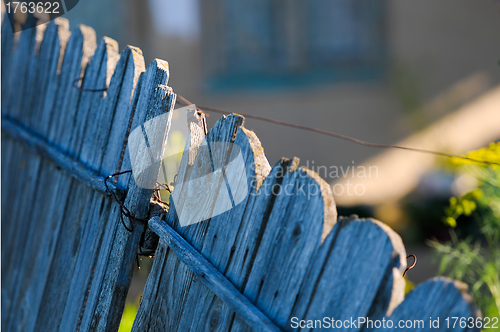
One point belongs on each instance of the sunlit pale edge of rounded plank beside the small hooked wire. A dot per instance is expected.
(399, 283)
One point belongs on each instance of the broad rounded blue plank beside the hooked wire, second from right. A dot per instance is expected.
(353, 249)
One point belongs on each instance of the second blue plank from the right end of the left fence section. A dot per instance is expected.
(98, 229)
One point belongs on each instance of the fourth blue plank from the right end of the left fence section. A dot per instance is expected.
(41, 242)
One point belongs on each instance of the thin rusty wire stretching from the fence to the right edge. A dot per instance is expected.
(186, 102)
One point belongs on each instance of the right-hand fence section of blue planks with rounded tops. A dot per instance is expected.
(279, 248)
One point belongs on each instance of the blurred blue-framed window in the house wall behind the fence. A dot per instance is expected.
(268, 43)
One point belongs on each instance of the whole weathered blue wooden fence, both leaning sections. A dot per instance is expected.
(270, 261)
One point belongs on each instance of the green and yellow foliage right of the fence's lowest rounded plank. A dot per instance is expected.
(476, 261)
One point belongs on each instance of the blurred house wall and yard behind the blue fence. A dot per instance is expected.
(422, 73)
